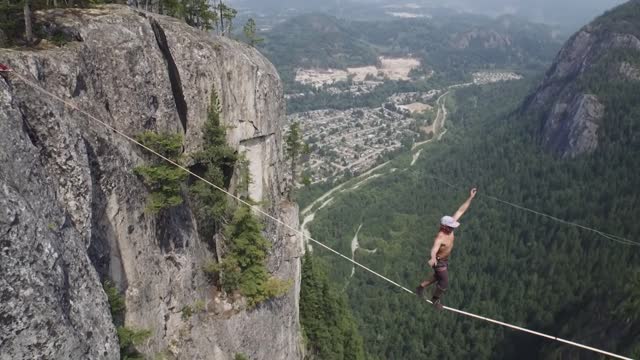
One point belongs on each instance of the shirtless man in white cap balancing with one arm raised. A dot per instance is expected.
(442, 246)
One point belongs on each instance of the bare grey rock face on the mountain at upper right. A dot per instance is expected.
(573, 113)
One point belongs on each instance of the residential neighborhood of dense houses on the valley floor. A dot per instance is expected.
(353, 141)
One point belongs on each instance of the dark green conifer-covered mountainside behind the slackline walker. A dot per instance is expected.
(508, 264)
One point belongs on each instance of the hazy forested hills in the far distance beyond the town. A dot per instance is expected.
(452, 46)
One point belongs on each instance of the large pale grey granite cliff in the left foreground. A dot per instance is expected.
(73, 211)
